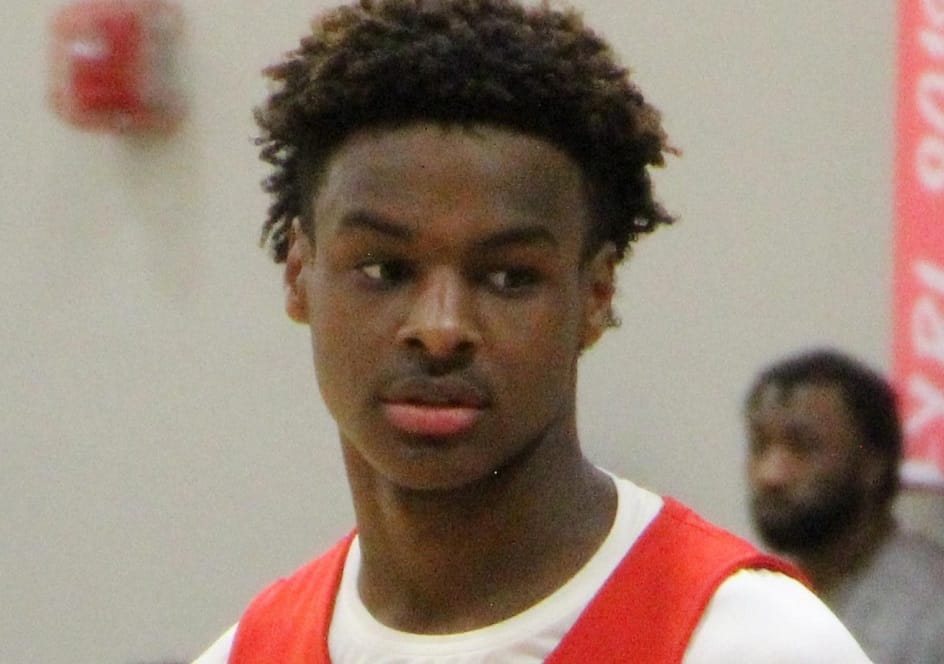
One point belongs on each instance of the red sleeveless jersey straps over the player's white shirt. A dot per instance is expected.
(645, 613)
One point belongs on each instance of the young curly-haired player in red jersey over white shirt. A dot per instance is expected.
(454, 184)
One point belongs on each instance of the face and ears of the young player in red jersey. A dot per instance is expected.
(448, 300)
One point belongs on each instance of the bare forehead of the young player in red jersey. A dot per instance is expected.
(427, 169)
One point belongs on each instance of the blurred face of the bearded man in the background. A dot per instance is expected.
(807, 469)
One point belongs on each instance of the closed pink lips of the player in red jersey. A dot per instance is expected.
(434, 407)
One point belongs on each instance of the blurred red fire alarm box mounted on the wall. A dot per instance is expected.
(114, 64)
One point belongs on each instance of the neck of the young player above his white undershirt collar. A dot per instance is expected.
(451, 561)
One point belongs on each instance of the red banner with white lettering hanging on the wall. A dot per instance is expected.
(918, 358)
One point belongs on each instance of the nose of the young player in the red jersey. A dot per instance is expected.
(441, 316)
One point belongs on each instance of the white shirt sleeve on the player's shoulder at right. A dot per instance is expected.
(766, 616)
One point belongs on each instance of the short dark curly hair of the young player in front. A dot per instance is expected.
(534, 70)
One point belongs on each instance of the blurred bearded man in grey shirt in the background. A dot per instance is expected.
(823, 470)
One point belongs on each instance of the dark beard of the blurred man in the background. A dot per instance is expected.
(794, 528)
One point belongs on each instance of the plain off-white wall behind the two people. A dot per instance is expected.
(164, 452)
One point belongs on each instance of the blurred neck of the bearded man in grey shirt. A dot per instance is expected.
(827, 565)
